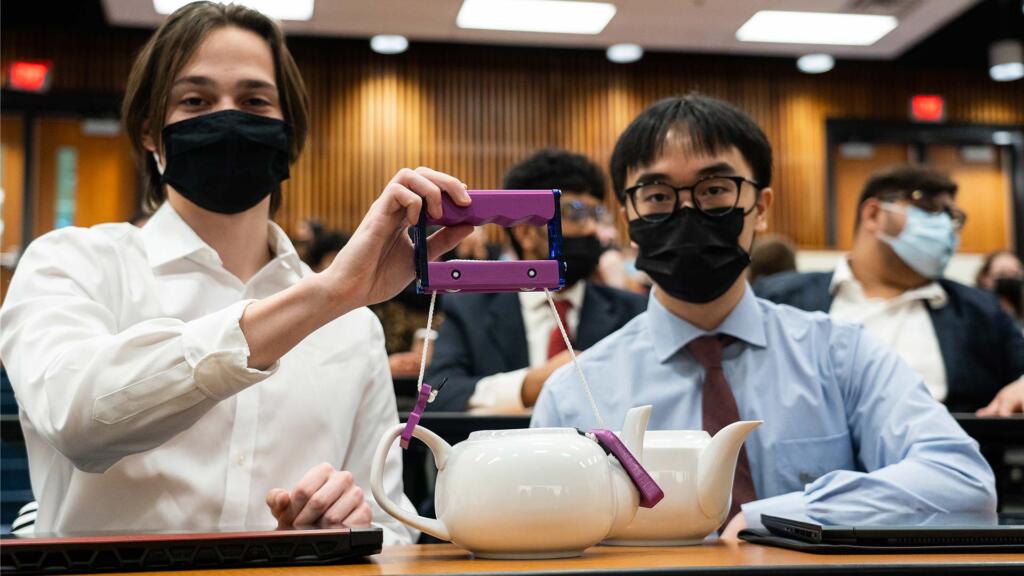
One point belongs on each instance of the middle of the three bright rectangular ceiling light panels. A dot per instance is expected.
(560, 17)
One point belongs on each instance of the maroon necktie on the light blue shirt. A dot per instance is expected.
(719, 410)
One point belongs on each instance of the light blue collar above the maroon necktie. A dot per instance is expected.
(672, 334)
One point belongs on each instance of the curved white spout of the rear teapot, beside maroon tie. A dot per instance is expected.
(717, 467)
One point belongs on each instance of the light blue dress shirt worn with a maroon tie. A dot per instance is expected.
(849, 429)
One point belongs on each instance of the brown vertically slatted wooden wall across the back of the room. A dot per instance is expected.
(474, 111)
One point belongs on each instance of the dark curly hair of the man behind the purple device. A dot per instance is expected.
(556, 169)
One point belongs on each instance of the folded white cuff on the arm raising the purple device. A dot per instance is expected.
(218, 351)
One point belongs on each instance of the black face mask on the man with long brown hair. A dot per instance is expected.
(227, 161)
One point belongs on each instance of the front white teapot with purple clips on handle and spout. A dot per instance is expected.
(534, 493)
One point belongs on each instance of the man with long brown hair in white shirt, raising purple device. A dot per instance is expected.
(195, 374)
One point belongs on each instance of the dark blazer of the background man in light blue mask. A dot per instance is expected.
(983, 349)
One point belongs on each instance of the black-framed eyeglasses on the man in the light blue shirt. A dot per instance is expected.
(715, 196)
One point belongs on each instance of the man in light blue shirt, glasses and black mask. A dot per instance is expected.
(850, 432)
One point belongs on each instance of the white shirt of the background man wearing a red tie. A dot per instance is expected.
(504, 391)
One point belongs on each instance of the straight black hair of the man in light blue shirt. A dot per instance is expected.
(714, 127)
